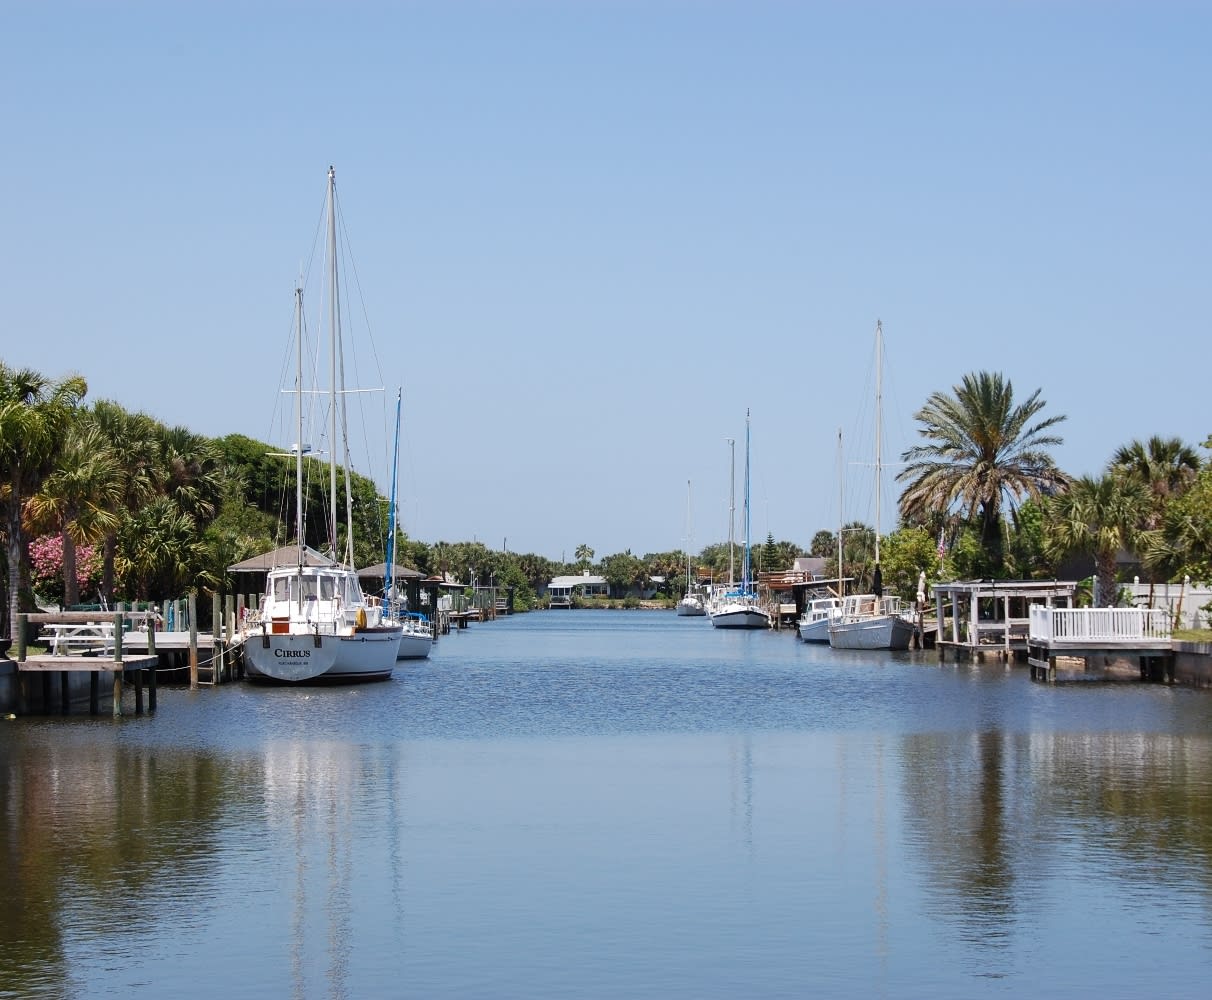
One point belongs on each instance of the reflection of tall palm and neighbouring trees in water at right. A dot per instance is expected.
(994, 816)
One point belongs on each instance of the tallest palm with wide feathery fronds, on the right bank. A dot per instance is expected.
(985, 453)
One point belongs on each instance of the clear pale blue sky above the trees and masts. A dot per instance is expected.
(590, 236)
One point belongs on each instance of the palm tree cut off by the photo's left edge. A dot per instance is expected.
(35, 413)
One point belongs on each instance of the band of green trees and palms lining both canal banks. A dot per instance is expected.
(102, 504)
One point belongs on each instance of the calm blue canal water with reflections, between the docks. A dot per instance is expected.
(618, 805)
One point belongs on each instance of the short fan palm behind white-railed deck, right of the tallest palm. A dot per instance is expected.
(1097, 517)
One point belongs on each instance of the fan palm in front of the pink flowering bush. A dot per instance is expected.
(81, 498)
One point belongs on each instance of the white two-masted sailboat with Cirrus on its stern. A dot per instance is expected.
(315, 624)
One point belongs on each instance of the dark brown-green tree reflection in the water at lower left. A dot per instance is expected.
(95, 841)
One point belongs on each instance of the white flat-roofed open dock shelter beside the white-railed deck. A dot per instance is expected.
(993, 616)
